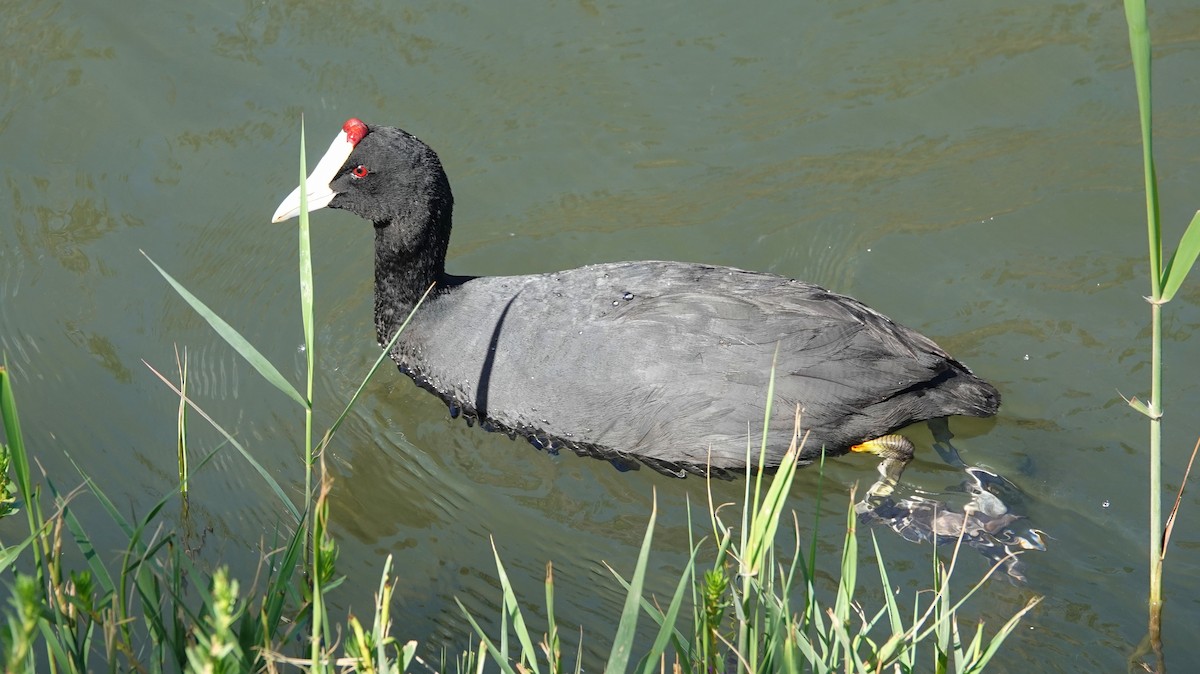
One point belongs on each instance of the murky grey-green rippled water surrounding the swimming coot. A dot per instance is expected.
(970, 170)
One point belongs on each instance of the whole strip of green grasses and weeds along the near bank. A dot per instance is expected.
(737, 607)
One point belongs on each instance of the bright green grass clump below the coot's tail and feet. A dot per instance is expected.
(742, 615)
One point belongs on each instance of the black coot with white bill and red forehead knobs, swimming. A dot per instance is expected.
(659, 363)
